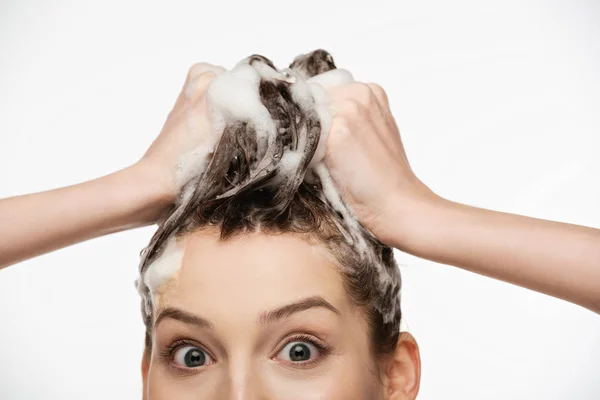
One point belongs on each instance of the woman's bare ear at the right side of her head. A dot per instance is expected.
(403, 370)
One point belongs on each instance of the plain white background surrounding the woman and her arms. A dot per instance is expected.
(498, 104)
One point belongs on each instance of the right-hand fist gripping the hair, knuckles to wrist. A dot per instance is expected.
(366, 158)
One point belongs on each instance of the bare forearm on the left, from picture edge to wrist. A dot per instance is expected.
(38, 223)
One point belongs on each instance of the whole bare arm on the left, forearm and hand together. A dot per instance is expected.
(35, 224)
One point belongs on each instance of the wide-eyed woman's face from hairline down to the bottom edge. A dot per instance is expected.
(259, 317)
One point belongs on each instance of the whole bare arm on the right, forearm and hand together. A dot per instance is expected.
(558, 259)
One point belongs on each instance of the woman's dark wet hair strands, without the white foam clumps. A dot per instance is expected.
(242, 189)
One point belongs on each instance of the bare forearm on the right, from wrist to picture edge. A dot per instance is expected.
(558, 259)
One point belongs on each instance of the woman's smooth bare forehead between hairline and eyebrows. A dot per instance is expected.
(252, 272)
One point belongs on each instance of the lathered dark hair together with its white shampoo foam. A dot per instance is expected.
(269, 135)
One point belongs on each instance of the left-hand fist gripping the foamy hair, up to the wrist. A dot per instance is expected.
(187, 128)
